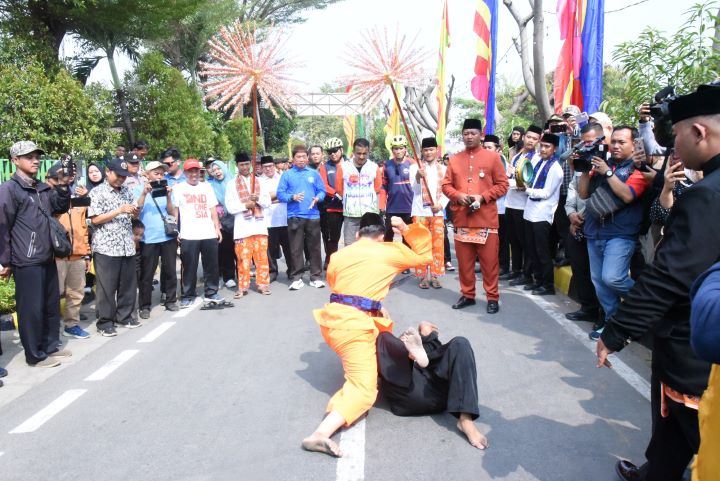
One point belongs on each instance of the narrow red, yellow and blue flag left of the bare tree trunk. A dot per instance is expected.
(483, 85)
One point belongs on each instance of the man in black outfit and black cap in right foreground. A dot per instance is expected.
(660, 302)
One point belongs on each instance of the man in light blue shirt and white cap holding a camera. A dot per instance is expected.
(156, 243)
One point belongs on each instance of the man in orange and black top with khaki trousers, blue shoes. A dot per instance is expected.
(72, 269)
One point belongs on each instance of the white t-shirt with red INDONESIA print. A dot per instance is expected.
(195, 204)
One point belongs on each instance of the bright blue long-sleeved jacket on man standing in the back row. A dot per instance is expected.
(293, 181)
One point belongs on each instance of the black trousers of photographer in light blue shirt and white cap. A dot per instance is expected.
(150, 255)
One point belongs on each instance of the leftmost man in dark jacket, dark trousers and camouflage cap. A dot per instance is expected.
(26, 251)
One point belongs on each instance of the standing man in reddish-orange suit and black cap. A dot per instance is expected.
(474, 180)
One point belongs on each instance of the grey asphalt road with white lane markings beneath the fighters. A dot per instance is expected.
(228, 395)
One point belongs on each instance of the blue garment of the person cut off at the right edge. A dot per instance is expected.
(705, 315)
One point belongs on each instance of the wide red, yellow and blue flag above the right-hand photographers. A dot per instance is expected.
(579, 71)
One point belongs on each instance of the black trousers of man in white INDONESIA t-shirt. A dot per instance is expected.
(190, 252)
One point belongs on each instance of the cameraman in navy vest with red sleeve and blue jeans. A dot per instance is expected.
(612, 237)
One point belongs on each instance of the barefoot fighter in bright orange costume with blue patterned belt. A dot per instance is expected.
(359, 277)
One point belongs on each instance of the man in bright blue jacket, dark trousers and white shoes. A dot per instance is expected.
(302, 189)
